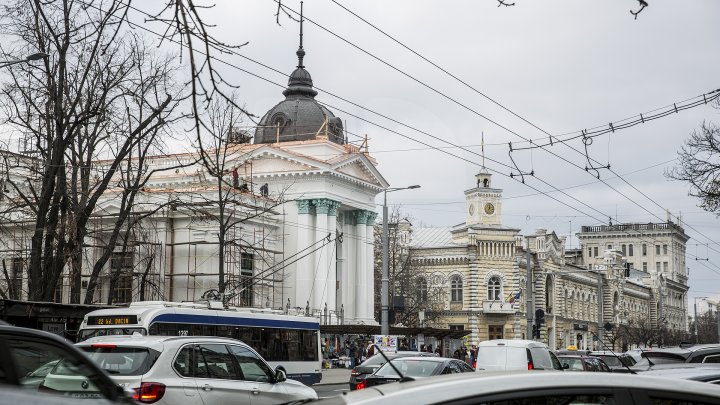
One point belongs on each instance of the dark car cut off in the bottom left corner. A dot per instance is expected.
(28, 357)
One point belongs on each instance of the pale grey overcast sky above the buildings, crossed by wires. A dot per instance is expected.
(563, 66)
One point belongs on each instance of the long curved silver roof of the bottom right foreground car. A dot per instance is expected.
(443, 388)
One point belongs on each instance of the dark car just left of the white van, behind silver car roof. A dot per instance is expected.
(415, 367)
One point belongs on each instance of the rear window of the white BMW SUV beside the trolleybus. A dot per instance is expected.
(122, 360)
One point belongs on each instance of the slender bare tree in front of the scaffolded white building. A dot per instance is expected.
(228, 198)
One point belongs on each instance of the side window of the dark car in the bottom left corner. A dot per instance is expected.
(49, 368)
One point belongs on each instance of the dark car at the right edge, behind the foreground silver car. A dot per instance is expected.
(685, 353)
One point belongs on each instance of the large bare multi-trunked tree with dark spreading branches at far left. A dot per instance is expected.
(95, 107)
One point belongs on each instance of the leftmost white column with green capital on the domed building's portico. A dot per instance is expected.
(305, 266)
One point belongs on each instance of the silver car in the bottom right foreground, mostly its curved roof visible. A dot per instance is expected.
(551, 388)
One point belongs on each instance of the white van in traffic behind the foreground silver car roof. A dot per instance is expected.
(506, 355)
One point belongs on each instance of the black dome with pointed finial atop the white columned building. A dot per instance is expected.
(299, 117)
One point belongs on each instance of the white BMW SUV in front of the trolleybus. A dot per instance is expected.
(168, 370)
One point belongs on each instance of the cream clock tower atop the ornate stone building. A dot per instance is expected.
(483, 203)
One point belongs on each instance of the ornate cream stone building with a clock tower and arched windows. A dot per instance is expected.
(482, 268)
